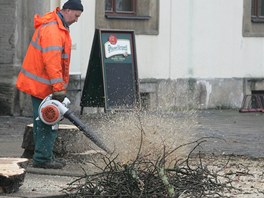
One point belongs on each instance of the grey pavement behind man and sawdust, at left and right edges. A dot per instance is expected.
(238, 133)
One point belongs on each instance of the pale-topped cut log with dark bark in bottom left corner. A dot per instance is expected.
(12, 174)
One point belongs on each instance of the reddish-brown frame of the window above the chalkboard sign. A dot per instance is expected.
(114, 12)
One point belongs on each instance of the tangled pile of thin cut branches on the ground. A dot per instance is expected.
(143, 177)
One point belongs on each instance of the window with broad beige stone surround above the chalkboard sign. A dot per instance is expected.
(139, 15)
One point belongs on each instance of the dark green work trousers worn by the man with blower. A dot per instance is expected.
(44, 136)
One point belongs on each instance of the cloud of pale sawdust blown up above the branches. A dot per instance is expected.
(121, 132)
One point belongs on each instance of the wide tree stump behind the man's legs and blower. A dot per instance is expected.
(70, 140)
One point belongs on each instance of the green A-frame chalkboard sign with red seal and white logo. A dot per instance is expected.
(112, 77)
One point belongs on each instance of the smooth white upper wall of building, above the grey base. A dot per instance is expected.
(197, 38)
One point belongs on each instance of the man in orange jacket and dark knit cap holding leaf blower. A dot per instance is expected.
(45, 71)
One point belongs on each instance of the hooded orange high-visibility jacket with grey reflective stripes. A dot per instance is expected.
(46, 65)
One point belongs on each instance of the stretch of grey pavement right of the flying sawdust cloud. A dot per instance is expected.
(242, 133)
